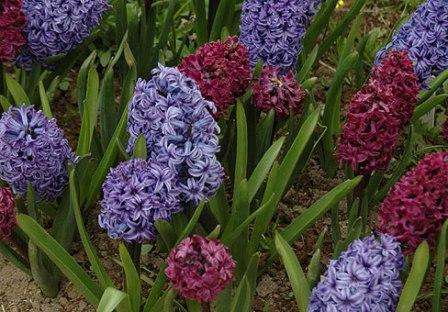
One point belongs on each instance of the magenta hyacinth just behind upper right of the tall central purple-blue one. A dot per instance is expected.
(221, 71)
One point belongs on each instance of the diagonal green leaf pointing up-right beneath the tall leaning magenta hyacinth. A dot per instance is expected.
(316, 210)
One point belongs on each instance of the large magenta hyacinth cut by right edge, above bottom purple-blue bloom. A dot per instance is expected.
(417, 205)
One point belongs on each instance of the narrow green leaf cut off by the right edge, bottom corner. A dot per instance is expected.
(440, 268)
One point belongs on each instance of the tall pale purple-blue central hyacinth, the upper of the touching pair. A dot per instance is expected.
(180, 131)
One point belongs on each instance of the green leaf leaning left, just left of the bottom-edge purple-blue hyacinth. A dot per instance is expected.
(296, 276)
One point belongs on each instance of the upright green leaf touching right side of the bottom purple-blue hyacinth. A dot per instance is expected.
(415, 279)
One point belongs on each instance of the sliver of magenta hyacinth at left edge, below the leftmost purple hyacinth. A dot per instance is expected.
(7, 213)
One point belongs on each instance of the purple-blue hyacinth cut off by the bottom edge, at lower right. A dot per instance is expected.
(366, 277)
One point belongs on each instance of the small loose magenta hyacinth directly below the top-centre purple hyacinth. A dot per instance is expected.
(278, 91)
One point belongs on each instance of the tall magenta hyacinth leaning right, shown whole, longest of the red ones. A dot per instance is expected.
(378, 113)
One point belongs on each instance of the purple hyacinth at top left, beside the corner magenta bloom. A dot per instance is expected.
(58, 26)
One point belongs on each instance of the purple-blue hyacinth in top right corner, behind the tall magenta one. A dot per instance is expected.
(425, 37)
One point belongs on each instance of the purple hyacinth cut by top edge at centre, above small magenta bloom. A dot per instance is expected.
(272, 30)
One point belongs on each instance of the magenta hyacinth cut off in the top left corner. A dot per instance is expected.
(12, 22)
